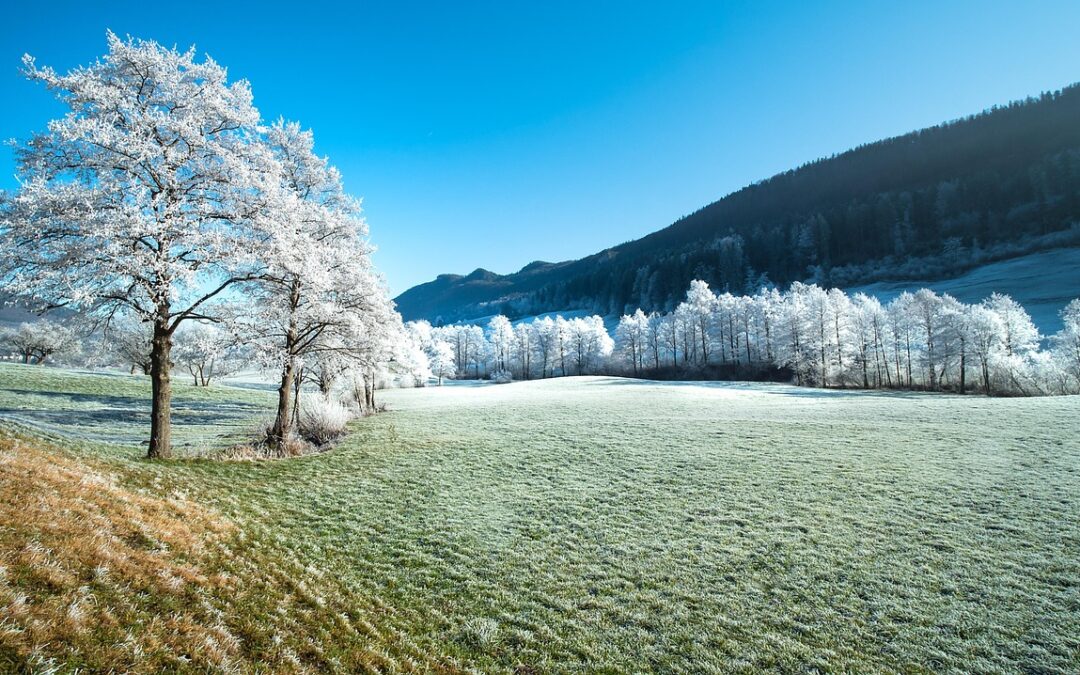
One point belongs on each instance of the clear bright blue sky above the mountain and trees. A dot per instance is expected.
(495, 134)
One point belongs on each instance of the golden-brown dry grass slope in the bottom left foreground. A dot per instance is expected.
(100, 576)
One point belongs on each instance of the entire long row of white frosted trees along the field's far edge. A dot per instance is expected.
(817, 337)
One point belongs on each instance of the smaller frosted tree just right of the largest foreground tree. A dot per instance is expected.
(319, 292)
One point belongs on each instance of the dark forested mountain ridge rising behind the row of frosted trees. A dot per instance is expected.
(926, 205)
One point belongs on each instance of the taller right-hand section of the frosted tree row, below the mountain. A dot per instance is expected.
(828, 339)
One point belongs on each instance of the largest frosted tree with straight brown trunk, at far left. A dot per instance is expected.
(143, 199)
